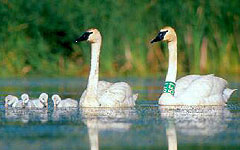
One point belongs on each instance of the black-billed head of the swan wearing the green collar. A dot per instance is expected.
(167, 34)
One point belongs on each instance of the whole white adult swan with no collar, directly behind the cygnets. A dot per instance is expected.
(102, 93)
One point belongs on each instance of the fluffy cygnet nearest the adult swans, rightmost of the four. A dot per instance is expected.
(58, 102)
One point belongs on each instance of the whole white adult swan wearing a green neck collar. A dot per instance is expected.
(191, 89)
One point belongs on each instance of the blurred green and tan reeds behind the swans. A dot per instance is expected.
(37, 36)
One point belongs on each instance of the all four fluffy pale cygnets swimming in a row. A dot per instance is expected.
(41, 102)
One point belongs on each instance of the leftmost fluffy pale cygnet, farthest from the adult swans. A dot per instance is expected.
(13, 101)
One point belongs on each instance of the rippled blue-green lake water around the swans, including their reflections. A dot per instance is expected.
(147, 126)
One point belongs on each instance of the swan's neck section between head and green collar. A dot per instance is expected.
(172, 62)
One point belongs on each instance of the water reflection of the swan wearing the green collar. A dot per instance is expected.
(193, 121)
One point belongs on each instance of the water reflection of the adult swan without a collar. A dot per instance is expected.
(103, 119)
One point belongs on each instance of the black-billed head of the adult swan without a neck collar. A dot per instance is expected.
(91, 35)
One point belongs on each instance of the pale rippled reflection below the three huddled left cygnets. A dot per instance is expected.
(25, 115)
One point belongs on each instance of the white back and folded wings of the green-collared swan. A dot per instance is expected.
(202, 90)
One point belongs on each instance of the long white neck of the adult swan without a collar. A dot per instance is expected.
(94, 69)
